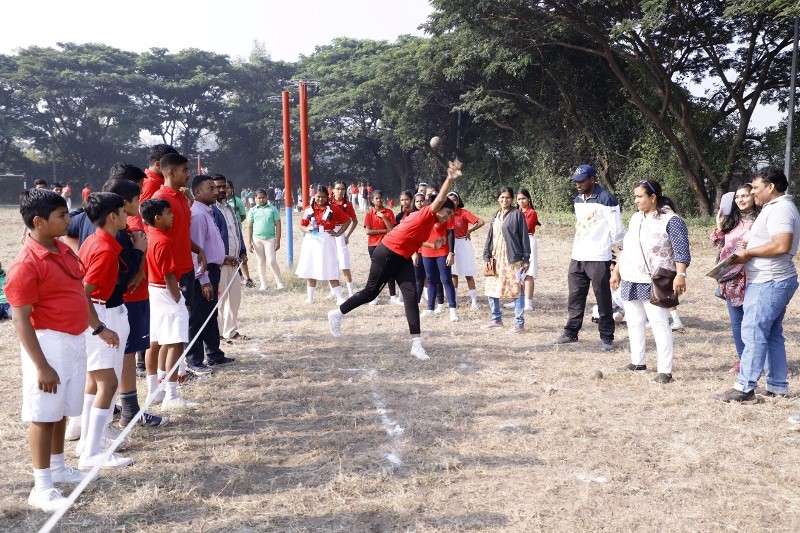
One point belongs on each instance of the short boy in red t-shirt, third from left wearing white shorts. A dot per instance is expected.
(169, 316)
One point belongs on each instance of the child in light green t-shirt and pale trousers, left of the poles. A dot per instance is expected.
(264, 236)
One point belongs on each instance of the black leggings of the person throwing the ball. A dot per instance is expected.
(386, 265)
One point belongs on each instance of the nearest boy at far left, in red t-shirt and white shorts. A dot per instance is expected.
(43, 281)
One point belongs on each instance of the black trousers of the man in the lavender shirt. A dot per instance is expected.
(201, 308)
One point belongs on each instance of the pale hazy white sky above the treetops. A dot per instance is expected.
(228, 27)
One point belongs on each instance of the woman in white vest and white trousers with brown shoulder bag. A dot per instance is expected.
(655, 247)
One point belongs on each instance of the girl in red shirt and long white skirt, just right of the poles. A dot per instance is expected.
(318, 257)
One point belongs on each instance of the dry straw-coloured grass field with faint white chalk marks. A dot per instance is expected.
(494, 433)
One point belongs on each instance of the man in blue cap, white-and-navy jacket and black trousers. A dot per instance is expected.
(598, 227)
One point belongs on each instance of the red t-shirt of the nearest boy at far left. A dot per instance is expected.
(53, 284)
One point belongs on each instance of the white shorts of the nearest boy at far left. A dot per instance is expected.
(67, 355)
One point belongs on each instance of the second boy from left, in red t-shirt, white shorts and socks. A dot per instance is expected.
(108, 328)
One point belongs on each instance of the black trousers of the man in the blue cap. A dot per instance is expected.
(581, 274)
